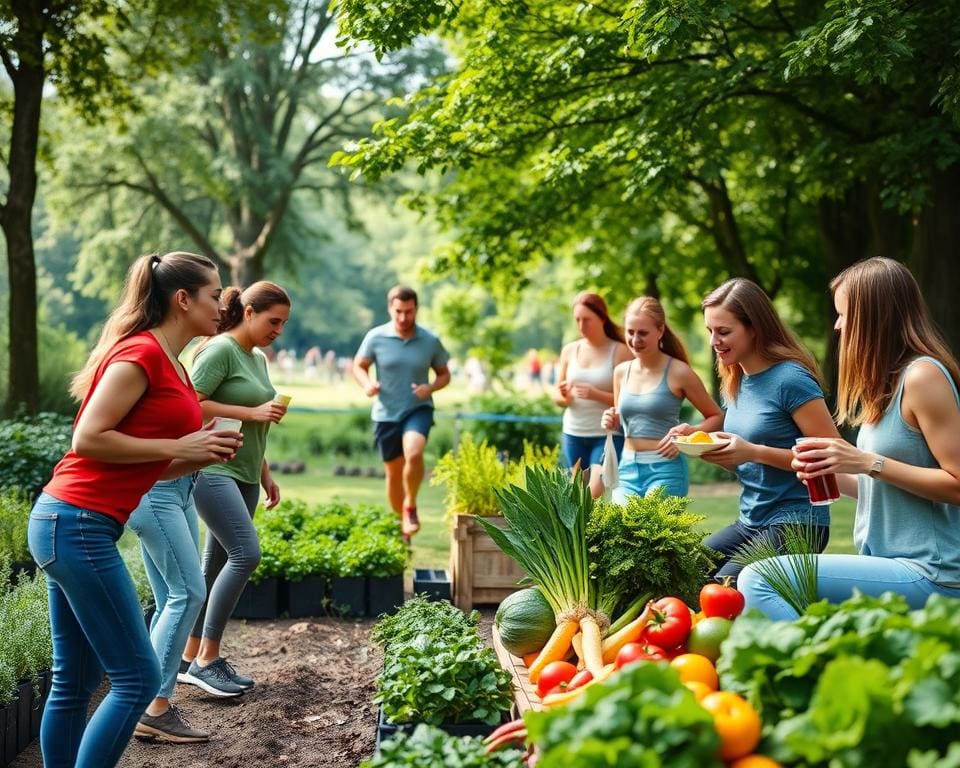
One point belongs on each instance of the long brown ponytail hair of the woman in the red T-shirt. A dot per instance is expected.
(151, 283)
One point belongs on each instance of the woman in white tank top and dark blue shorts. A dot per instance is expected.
(585, 386)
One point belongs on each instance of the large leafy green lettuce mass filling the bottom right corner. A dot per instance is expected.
(867, 682)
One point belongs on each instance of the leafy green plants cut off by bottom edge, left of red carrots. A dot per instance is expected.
(429, 747)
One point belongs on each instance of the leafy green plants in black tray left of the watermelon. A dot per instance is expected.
(437, 669)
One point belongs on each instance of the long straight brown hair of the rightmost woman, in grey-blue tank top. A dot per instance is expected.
(887, 325)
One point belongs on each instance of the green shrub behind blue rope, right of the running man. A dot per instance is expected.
(510, 436)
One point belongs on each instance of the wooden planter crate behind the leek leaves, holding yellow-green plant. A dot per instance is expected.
(480, 572)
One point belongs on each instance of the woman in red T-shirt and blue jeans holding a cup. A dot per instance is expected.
(139, 422)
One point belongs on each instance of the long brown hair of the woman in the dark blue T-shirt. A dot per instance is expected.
(774, 342)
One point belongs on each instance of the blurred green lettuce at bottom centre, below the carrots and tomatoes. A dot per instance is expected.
(642, 717)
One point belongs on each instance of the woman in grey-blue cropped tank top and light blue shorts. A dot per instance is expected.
(648, 391)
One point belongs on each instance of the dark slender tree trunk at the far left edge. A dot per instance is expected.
(16, 218)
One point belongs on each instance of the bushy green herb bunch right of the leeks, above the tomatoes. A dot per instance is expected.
(649, 546)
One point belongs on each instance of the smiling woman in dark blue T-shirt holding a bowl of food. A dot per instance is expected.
(772, 395)
